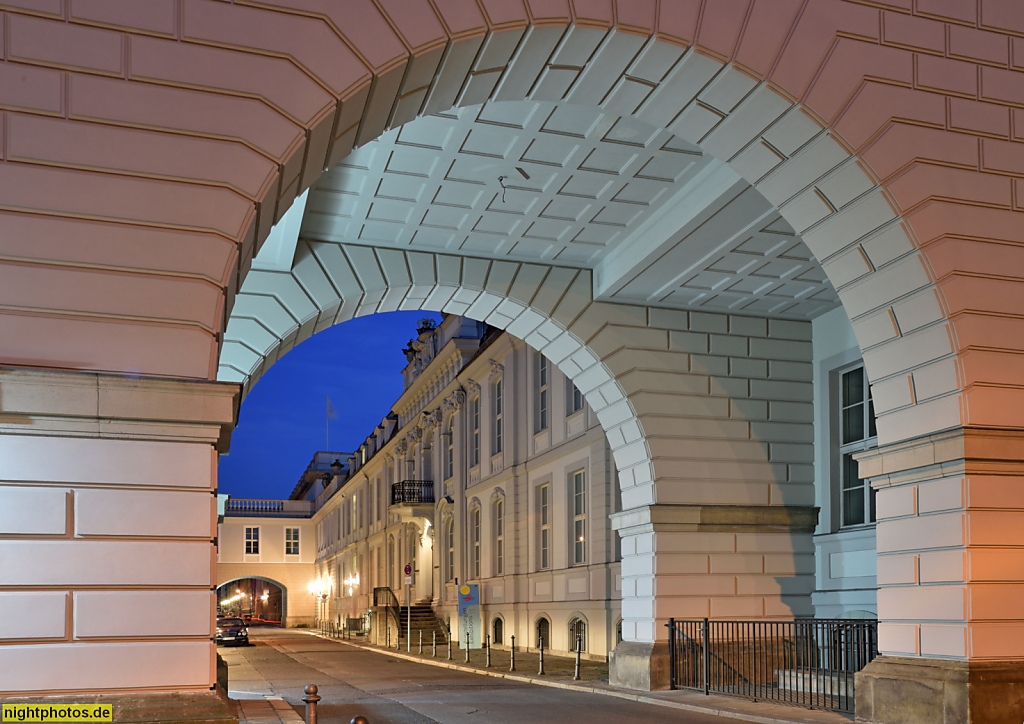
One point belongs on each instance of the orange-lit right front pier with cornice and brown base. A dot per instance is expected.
(951, 513)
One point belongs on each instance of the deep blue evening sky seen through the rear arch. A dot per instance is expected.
(358, 364)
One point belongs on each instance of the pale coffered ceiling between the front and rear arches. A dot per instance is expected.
(659, 222)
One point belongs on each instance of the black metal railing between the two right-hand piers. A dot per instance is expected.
(806, 663)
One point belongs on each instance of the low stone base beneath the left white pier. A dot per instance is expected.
(184, 708)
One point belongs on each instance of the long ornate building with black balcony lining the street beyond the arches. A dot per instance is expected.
(490, 470)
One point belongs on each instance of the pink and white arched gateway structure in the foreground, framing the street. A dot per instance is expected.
(672, 201)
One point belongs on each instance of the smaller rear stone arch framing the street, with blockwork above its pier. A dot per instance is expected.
(641, 368)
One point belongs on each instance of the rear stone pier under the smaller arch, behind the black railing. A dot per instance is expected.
(696, 562)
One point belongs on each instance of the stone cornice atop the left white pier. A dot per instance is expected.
(99, 405)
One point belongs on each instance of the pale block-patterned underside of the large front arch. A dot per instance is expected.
(823, 189)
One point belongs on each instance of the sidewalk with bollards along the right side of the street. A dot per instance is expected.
(559, 672)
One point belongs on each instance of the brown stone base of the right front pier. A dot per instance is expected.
(905, 691)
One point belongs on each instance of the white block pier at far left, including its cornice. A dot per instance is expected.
(108, 525)
